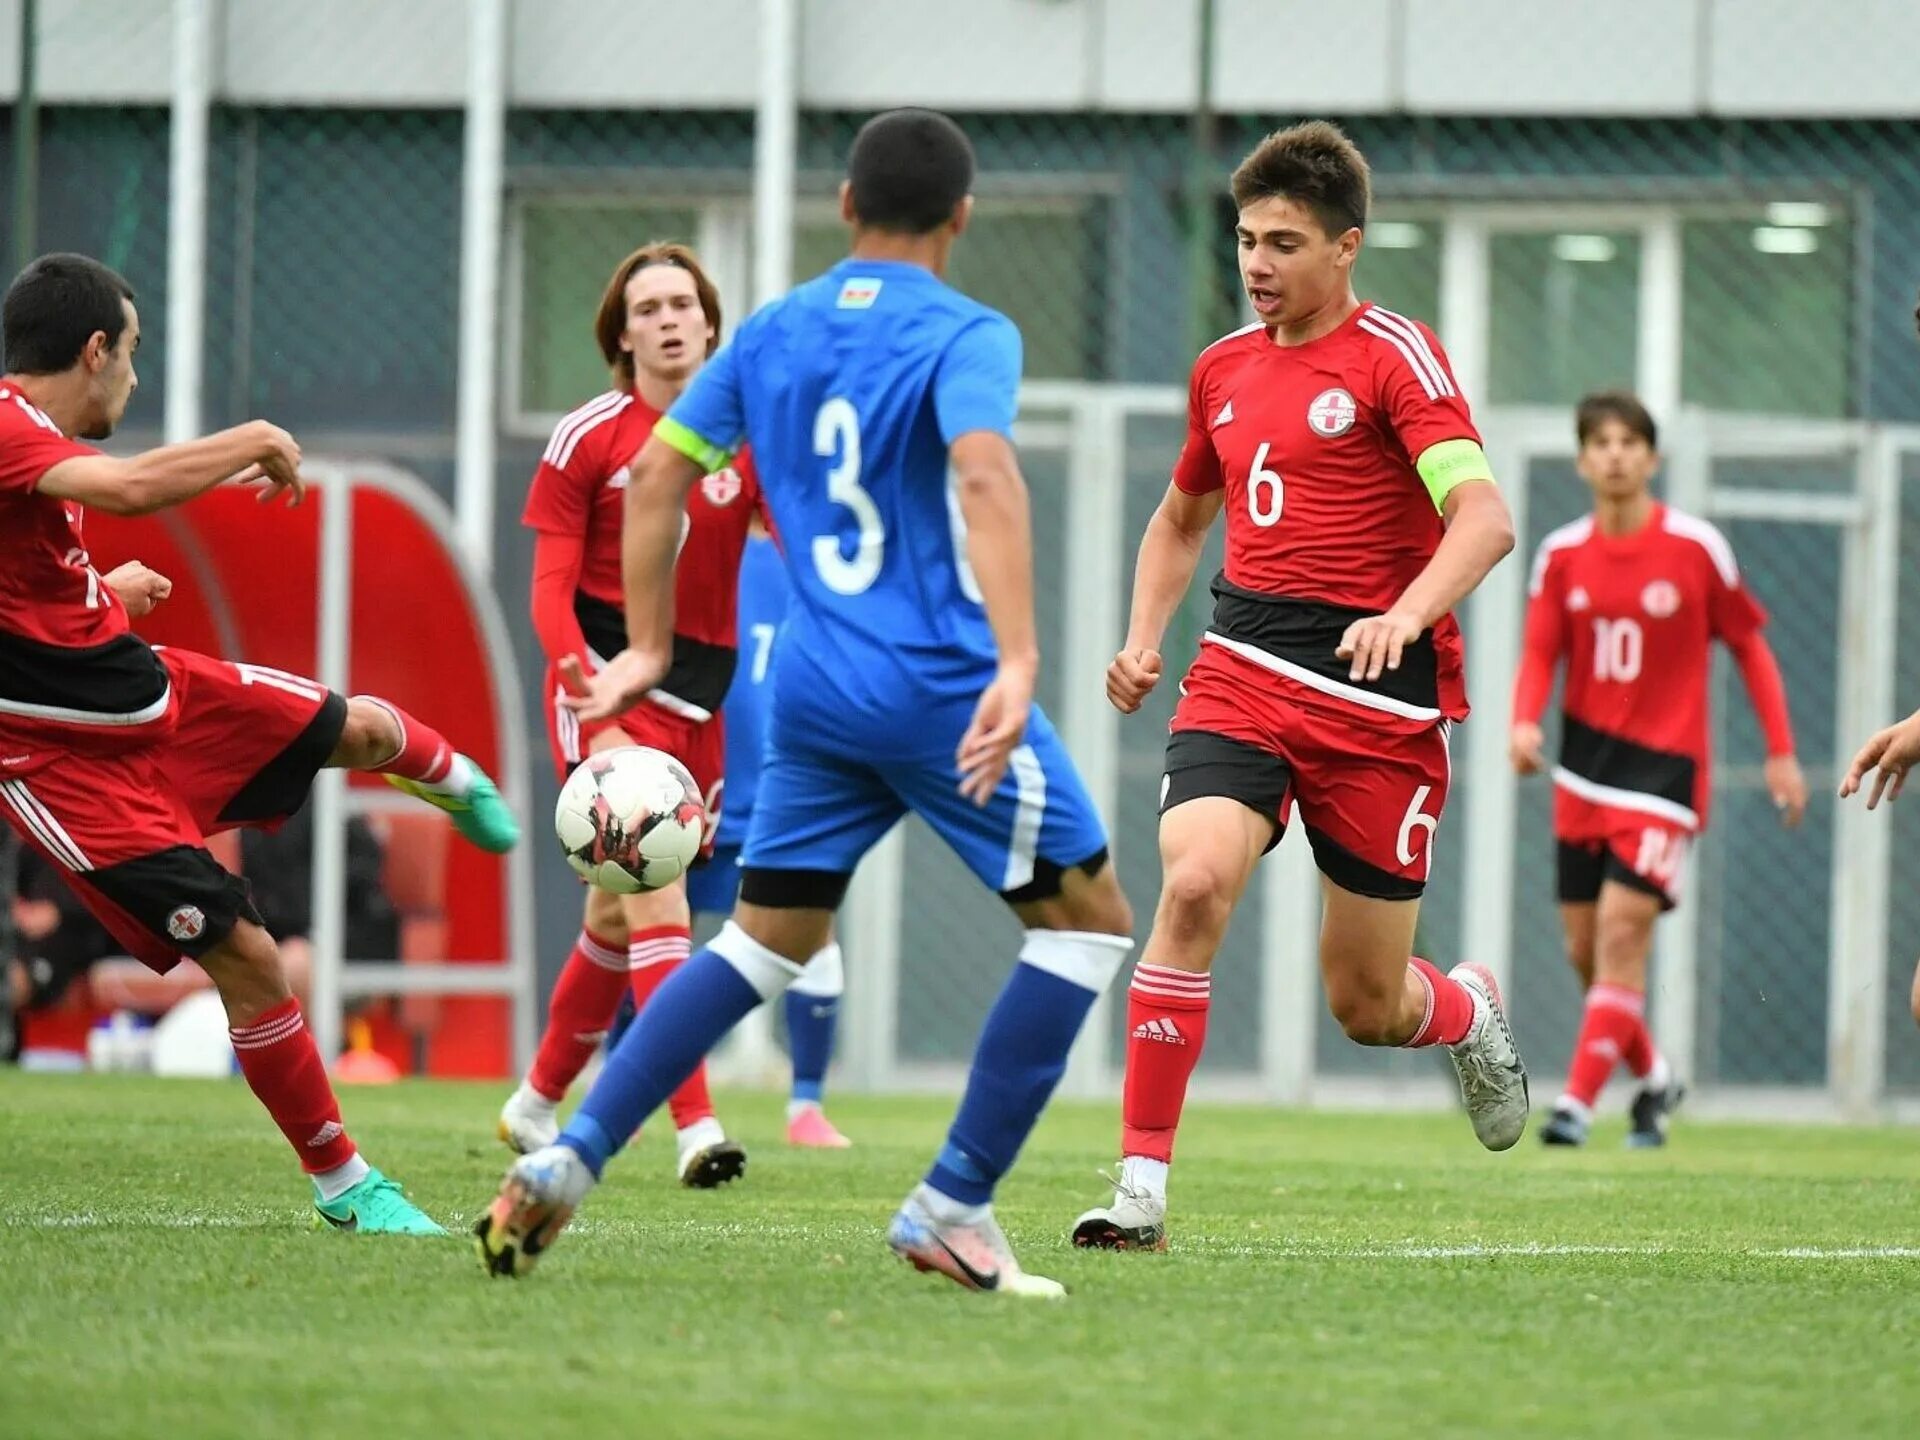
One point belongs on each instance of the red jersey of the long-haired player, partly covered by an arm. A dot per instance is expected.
(581, 491)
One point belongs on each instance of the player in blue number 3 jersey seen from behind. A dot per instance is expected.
(905, 683)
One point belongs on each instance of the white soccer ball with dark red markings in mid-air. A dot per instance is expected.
(631, 821)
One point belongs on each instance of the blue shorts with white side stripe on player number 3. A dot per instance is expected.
(825, 802)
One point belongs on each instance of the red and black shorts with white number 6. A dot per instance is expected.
(1370, 786)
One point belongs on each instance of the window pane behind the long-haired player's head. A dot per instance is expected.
(567, 252)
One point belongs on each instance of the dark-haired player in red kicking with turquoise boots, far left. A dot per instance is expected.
(120, 759)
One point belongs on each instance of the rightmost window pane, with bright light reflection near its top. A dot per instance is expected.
(1765, 310)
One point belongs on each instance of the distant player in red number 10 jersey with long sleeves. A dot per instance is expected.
(1633, 598)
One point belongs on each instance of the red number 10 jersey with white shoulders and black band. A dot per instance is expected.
(1635, 619)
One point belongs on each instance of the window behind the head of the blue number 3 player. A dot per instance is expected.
(1042, 262)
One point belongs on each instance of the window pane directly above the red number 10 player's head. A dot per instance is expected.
(1566, 314)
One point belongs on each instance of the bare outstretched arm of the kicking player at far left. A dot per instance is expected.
(174, 475)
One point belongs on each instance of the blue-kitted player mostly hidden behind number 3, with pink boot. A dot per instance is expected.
(813, 1001)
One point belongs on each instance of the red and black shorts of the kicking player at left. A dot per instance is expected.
(126, 827)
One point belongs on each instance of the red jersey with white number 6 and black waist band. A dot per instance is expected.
(1328, 517)
